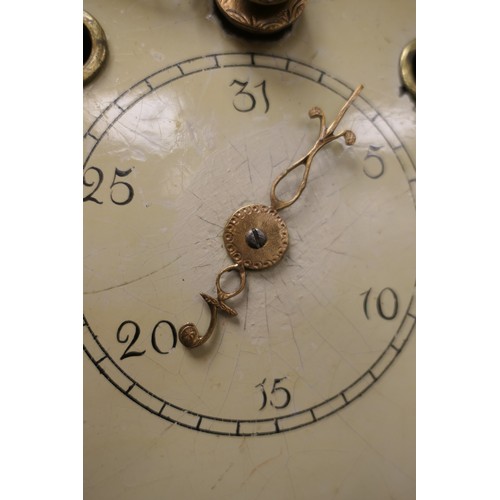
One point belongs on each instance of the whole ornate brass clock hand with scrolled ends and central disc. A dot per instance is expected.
(255, 236)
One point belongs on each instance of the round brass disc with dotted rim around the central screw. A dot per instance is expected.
(256, 219)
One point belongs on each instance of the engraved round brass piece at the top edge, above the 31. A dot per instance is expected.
(262, 17)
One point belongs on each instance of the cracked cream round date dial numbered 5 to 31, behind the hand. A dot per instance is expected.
(313, 333)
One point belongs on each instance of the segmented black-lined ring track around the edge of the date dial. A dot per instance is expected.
(297, 419)
